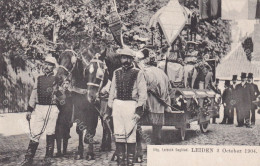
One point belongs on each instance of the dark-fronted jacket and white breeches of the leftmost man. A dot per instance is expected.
(42, 101)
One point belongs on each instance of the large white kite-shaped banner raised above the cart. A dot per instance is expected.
(172, 20)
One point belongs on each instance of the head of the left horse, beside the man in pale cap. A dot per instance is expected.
(66, 61)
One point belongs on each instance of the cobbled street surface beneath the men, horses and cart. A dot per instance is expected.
(13, 146)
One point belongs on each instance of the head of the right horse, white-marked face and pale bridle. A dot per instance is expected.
(95, 76)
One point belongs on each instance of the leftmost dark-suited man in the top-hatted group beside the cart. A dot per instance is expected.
(226, 101)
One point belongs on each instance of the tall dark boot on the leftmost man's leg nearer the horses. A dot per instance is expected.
(49, 150)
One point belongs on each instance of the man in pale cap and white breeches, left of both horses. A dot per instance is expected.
(42, 107)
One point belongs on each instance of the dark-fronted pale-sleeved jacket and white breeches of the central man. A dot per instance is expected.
(128, 91)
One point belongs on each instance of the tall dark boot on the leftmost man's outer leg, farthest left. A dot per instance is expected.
(30, 153)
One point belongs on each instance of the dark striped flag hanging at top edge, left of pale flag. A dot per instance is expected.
(210, 9)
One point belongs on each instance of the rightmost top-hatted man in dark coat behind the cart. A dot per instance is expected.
(254, 95)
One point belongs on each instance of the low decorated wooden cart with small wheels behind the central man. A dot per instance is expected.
(200, 106)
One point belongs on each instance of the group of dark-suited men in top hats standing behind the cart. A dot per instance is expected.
(240, 97)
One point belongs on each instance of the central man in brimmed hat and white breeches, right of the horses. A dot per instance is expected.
(128, 93)
